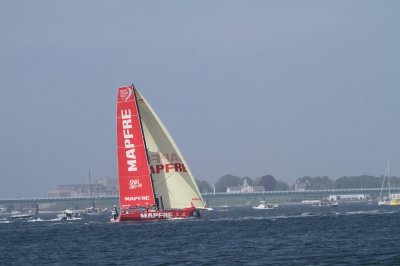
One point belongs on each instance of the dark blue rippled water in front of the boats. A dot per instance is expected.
(290, 235)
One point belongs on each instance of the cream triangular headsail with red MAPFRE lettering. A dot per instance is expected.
(173, 182)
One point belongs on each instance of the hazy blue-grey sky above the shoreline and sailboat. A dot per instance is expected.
(288, 88)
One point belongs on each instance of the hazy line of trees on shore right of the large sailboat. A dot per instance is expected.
(303, 183)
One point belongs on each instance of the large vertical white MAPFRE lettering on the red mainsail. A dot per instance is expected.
(126, 119)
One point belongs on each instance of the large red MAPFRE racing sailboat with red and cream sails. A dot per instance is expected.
(155, 182)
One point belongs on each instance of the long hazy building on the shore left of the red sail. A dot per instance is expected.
(100, 187)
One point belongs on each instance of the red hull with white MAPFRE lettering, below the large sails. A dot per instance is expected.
(151, 215)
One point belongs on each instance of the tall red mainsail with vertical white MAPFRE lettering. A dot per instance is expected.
(135, 186)
